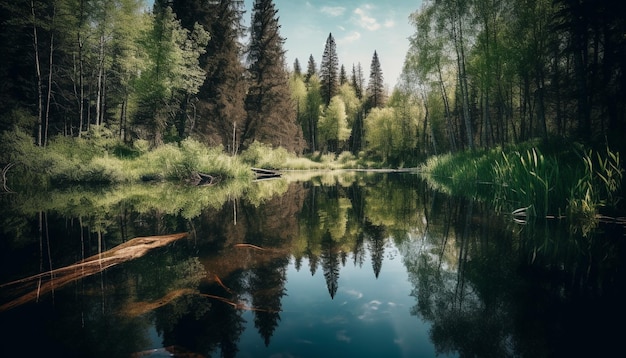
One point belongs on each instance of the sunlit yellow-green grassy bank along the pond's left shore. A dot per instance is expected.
(99, 157)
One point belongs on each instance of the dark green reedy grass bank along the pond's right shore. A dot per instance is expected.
(534, 178)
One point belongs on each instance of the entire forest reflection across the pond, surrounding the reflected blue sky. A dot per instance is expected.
(487, 286)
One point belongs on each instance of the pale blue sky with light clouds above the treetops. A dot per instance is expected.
(359, 28)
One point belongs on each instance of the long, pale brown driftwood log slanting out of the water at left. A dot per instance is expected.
(45, 282)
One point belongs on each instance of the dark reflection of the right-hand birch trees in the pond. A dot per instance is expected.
(491, 288)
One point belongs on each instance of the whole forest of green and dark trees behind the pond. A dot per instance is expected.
(478, 74)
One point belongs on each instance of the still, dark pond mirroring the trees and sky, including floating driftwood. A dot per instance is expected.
(335, 265)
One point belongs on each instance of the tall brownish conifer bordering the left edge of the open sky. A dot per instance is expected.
(271, 117)
